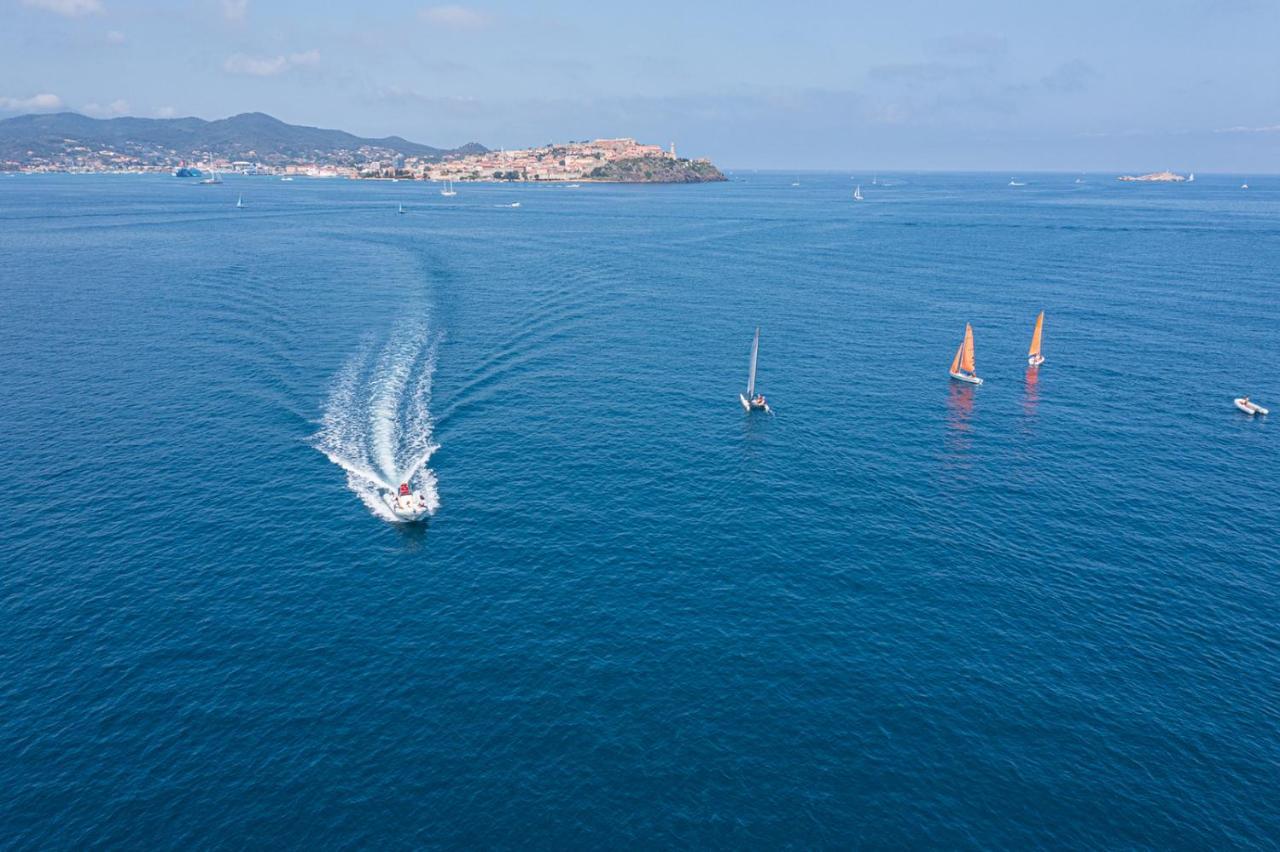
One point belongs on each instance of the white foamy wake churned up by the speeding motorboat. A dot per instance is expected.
(377, 423)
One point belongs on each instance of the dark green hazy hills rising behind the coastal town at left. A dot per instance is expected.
(250, 136)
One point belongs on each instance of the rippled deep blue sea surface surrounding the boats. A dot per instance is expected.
(902, 612)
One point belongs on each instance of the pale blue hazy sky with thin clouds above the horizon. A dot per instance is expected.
(982, 85)
